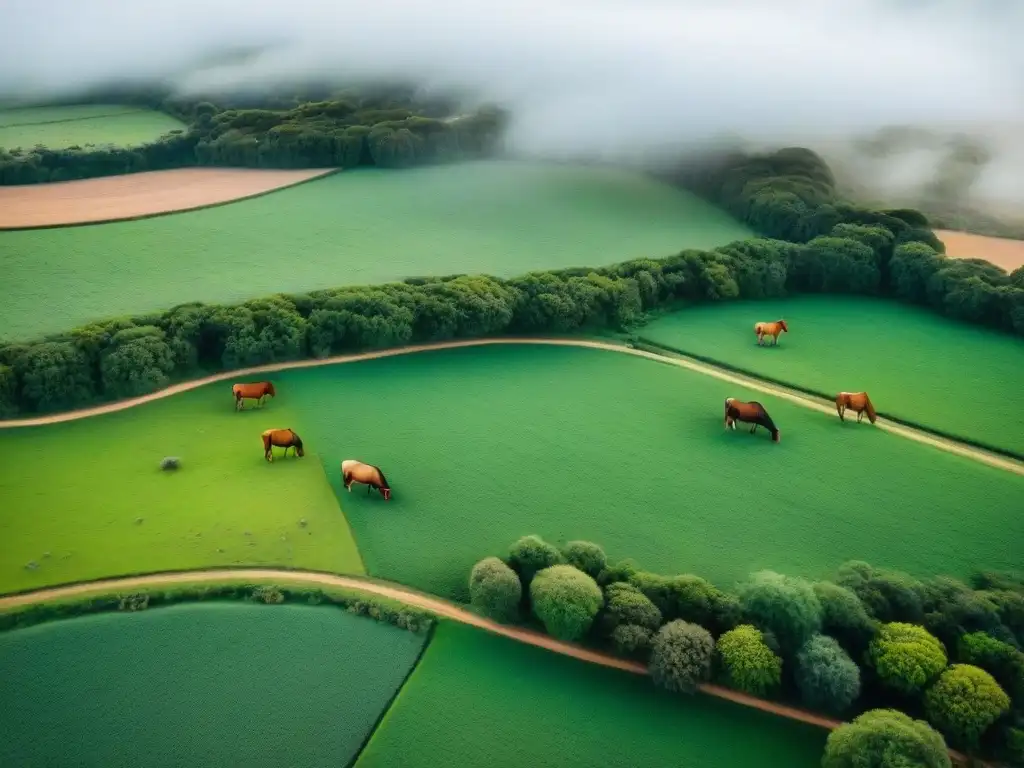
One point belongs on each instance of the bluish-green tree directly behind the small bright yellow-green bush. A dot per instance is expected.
(786, 607)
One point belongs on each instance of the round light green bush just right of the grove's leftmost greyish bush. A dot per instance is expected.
(567, 601)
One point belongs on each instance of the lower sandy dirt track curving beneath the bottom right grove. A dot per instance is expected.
(437, 606)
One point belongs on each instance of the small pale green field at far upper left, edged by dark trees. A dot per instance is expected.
(60, 127)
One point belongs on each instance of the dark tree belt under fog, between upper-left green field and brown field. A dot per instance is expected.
(347, 130)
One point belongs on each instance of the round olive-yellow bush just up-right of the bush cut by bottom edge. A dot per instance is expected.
(965, 702)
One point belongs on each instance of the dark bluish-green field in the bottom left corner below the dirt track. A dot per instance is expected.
(211, 685)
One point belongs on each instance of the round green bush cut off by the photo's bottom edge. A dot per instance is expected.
(886, 739)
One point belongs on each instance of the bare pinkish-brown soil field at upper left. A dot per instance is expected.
(137, 195)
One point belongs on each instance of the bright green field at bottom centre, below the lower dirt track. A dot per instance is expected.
(509, 705)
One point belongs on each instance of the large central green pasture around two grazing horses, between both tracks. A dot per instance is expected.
(483, 446)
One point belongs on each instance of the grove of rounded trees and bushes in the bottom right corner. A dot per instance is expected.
(873, 643)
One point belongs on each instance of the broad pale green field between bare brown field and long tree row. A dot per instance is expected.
(362, 227)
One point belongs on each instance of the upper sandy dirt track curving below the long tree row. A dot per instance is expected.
(775, 391)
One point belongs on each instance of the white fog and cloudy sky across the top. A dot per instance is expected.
(596, 75)
